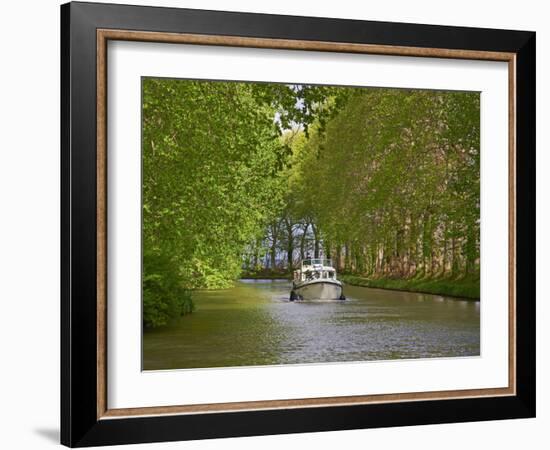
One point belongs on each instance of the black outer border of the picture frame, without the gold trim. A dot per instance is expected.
(79, 423)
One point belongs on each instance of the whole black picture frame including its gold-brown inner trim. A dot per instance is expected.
(86, 418)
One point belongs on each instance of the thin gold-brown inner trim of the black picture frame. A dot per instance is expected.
(103, 36)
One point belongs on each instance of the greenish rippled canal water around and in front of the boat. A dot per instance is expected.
(254, 324)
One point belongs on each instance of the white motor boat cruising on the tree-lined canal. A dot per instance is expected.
(316, 280)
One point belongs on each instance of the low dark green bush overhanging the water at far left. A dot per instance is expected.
(164, 297)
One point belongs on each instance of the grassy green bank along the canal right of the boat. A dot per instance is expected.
(462, 287)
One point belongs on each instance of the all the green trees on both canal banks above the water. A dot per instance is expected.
(385, 181)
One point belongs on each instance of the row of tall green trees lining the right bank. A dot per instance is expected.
(398, 173)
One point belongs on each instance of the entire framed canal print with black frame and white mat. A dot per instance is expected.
(276, 224)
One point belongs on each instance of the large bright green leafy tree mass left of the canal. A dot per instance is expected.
(212, 158)
